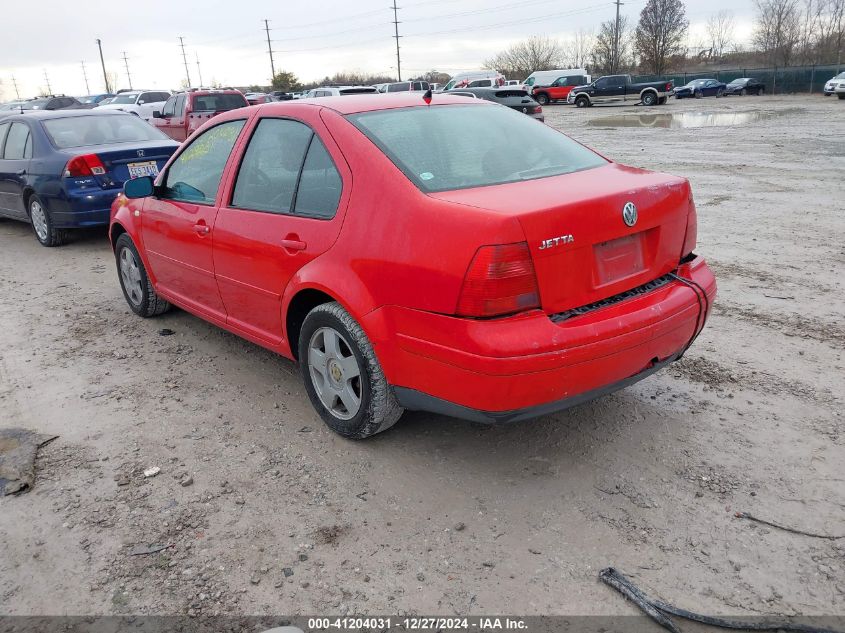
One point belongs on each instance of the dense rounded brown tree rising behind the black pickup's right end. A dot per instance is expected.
(660, 33)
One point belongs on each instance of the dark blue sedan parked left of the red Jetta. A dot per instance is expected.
(62, 170)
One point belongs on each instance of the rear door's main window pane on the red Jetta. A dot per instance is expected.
(270, 166)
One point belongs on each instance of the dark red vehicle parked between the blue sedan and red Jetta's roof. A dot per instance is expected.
(186, 111)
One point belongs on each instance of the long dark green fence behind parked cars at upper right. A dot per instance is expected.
(778, 80)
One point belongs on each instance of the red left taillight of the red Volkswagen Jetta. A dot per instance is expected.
(500, 280)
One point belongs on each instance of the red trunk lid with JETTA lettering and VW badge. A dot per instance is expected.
(583, 249)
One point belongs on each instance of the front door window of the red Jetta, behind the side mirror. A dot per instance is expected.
(196, 173)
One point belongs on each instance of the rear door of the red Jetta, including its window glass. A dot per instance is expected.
(284, 210)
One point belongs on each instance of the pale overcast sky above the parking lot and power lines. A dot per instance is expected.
(311, 39)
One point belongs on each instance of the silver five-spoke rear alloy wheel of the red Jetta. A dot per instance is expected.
(335, 373)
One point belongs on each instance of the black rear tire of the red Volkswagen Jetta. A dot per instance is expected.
(378, 409)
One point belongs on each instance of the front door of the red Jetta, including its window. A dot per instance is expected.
(178, 223)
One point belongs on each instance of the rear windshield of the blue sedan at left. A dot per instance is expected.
(82, 131)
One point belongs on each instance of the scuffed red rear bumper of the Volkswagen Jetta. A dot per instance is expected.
(521, 367)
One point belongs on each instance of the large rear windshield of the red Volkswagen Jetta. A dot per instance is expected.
(460, 146)
